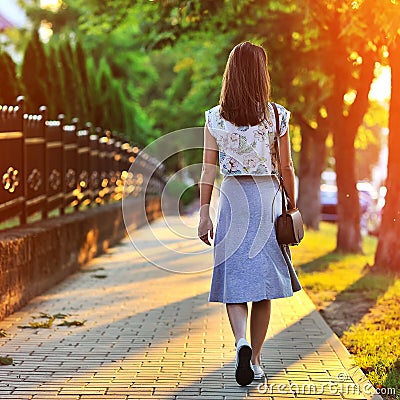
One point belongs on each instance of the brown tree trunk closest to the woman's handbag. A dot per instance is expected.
(312, 162)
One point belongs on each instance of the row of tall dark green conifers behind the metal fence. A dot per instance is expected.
(68, 80)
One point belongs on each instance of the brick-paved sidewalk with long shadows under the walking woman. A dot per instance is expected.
(150, 333)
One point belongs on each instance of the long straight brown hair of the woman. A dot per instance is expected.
(245, 85)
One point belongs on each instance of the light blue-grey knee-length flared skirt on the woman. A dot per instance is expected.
(249, 264)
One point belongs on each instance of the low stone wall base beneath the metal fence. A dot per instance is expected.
(35, 257)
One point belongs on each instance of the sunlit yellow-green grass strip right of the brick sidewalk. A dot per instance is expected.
(361, 305)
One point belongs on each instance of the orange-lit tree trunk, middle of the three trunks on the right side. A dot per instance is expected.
(345, 120)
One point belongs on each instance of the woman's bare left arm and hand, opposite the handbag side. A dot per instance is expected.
(206, 184)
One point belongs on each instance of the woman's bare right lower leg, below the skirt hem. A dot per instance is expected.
(259, 320)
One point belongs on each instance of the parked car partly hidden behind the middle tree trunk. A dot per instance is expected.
(368, 198)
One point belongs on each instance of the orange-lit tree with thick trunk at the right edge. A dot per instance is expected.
(377, 21)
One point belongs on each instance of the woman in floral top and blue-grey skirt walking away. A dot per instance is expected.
(249, 264)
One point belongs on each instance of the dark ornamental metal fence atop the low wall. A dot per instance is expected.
(48, 165)
